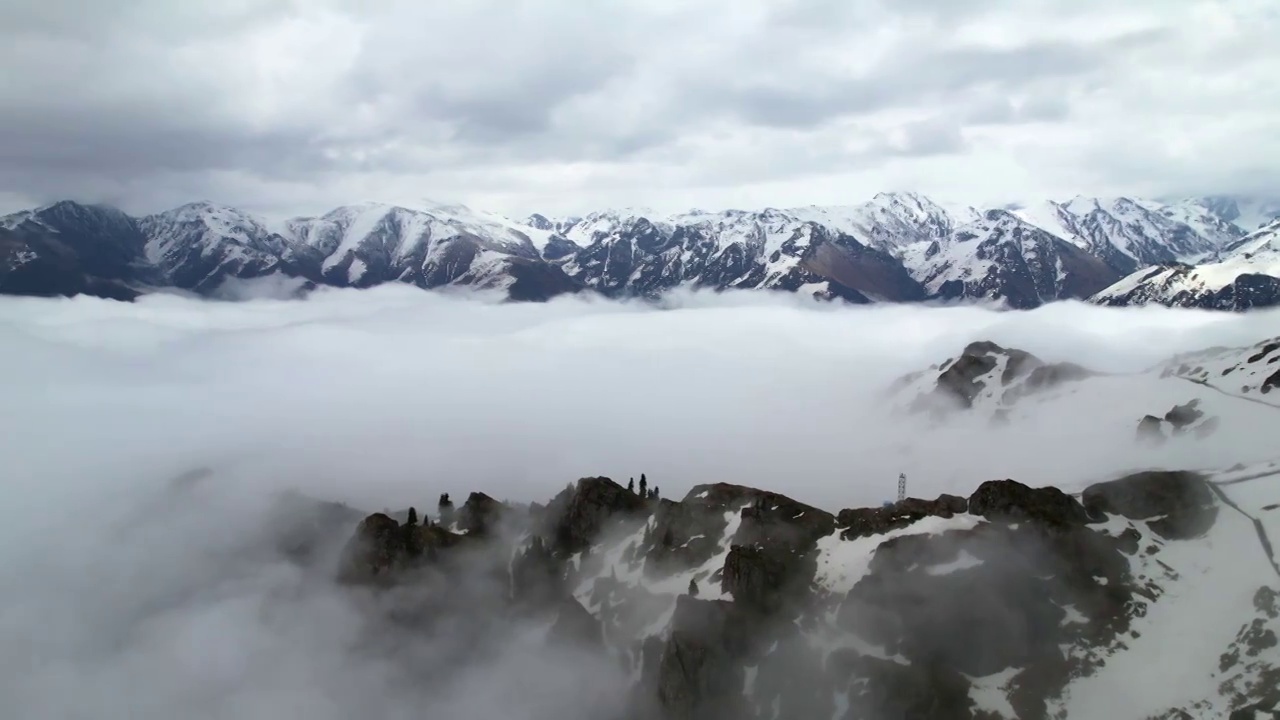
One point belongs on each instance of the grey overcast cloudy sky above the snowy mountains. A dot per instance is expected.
(287, 107)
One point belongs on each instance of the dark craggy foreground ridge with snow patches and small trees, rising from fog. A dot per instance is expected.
(738, 603)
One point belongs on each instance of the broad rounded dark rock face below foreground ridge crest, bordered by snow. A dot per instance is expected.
(993, 598)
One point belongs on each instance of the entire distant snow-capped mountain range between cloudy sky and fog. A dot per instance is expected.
(898, 247)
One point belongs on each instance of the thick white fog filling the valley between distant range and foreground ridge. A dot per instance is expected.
(122, 601)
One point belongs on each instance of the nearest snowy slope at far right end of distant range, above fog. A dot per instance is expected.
(1247, 277)
